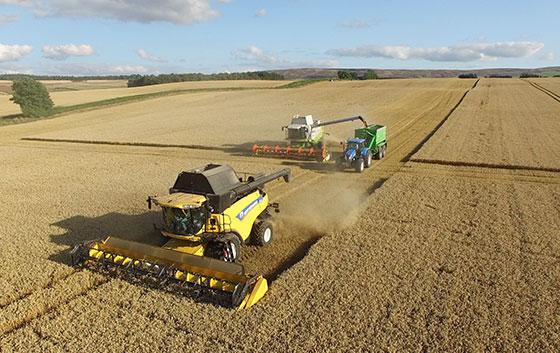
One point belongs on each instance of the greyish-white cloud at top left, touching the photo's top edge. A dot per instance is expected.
(145, 11)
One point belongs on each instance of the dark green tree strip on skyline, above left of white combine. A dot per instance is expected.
(146, 80)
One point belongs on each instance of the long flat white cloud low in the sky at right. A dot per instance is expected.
(460, 53)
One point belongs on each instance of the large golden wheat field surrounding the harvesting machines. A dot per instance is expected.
(438, 247)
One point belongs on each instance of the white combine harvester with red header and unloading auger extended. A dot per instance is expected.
(305, 138)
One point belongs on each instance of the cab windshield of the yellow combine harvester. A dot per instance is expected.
(183, 221)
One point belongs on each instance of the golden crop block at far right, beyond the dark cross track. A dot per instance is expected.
(486, 128)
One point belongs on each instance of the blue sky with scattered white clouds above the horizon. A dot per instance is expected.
(105, 37)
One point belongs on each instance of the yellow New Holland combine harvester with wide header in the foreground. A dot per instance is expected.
(209, 213)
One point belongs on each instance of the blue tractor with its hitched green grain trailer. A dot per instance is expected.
(367, 143)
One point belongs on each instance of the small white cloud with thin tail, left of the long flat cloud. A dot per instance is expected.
(254, 58)
